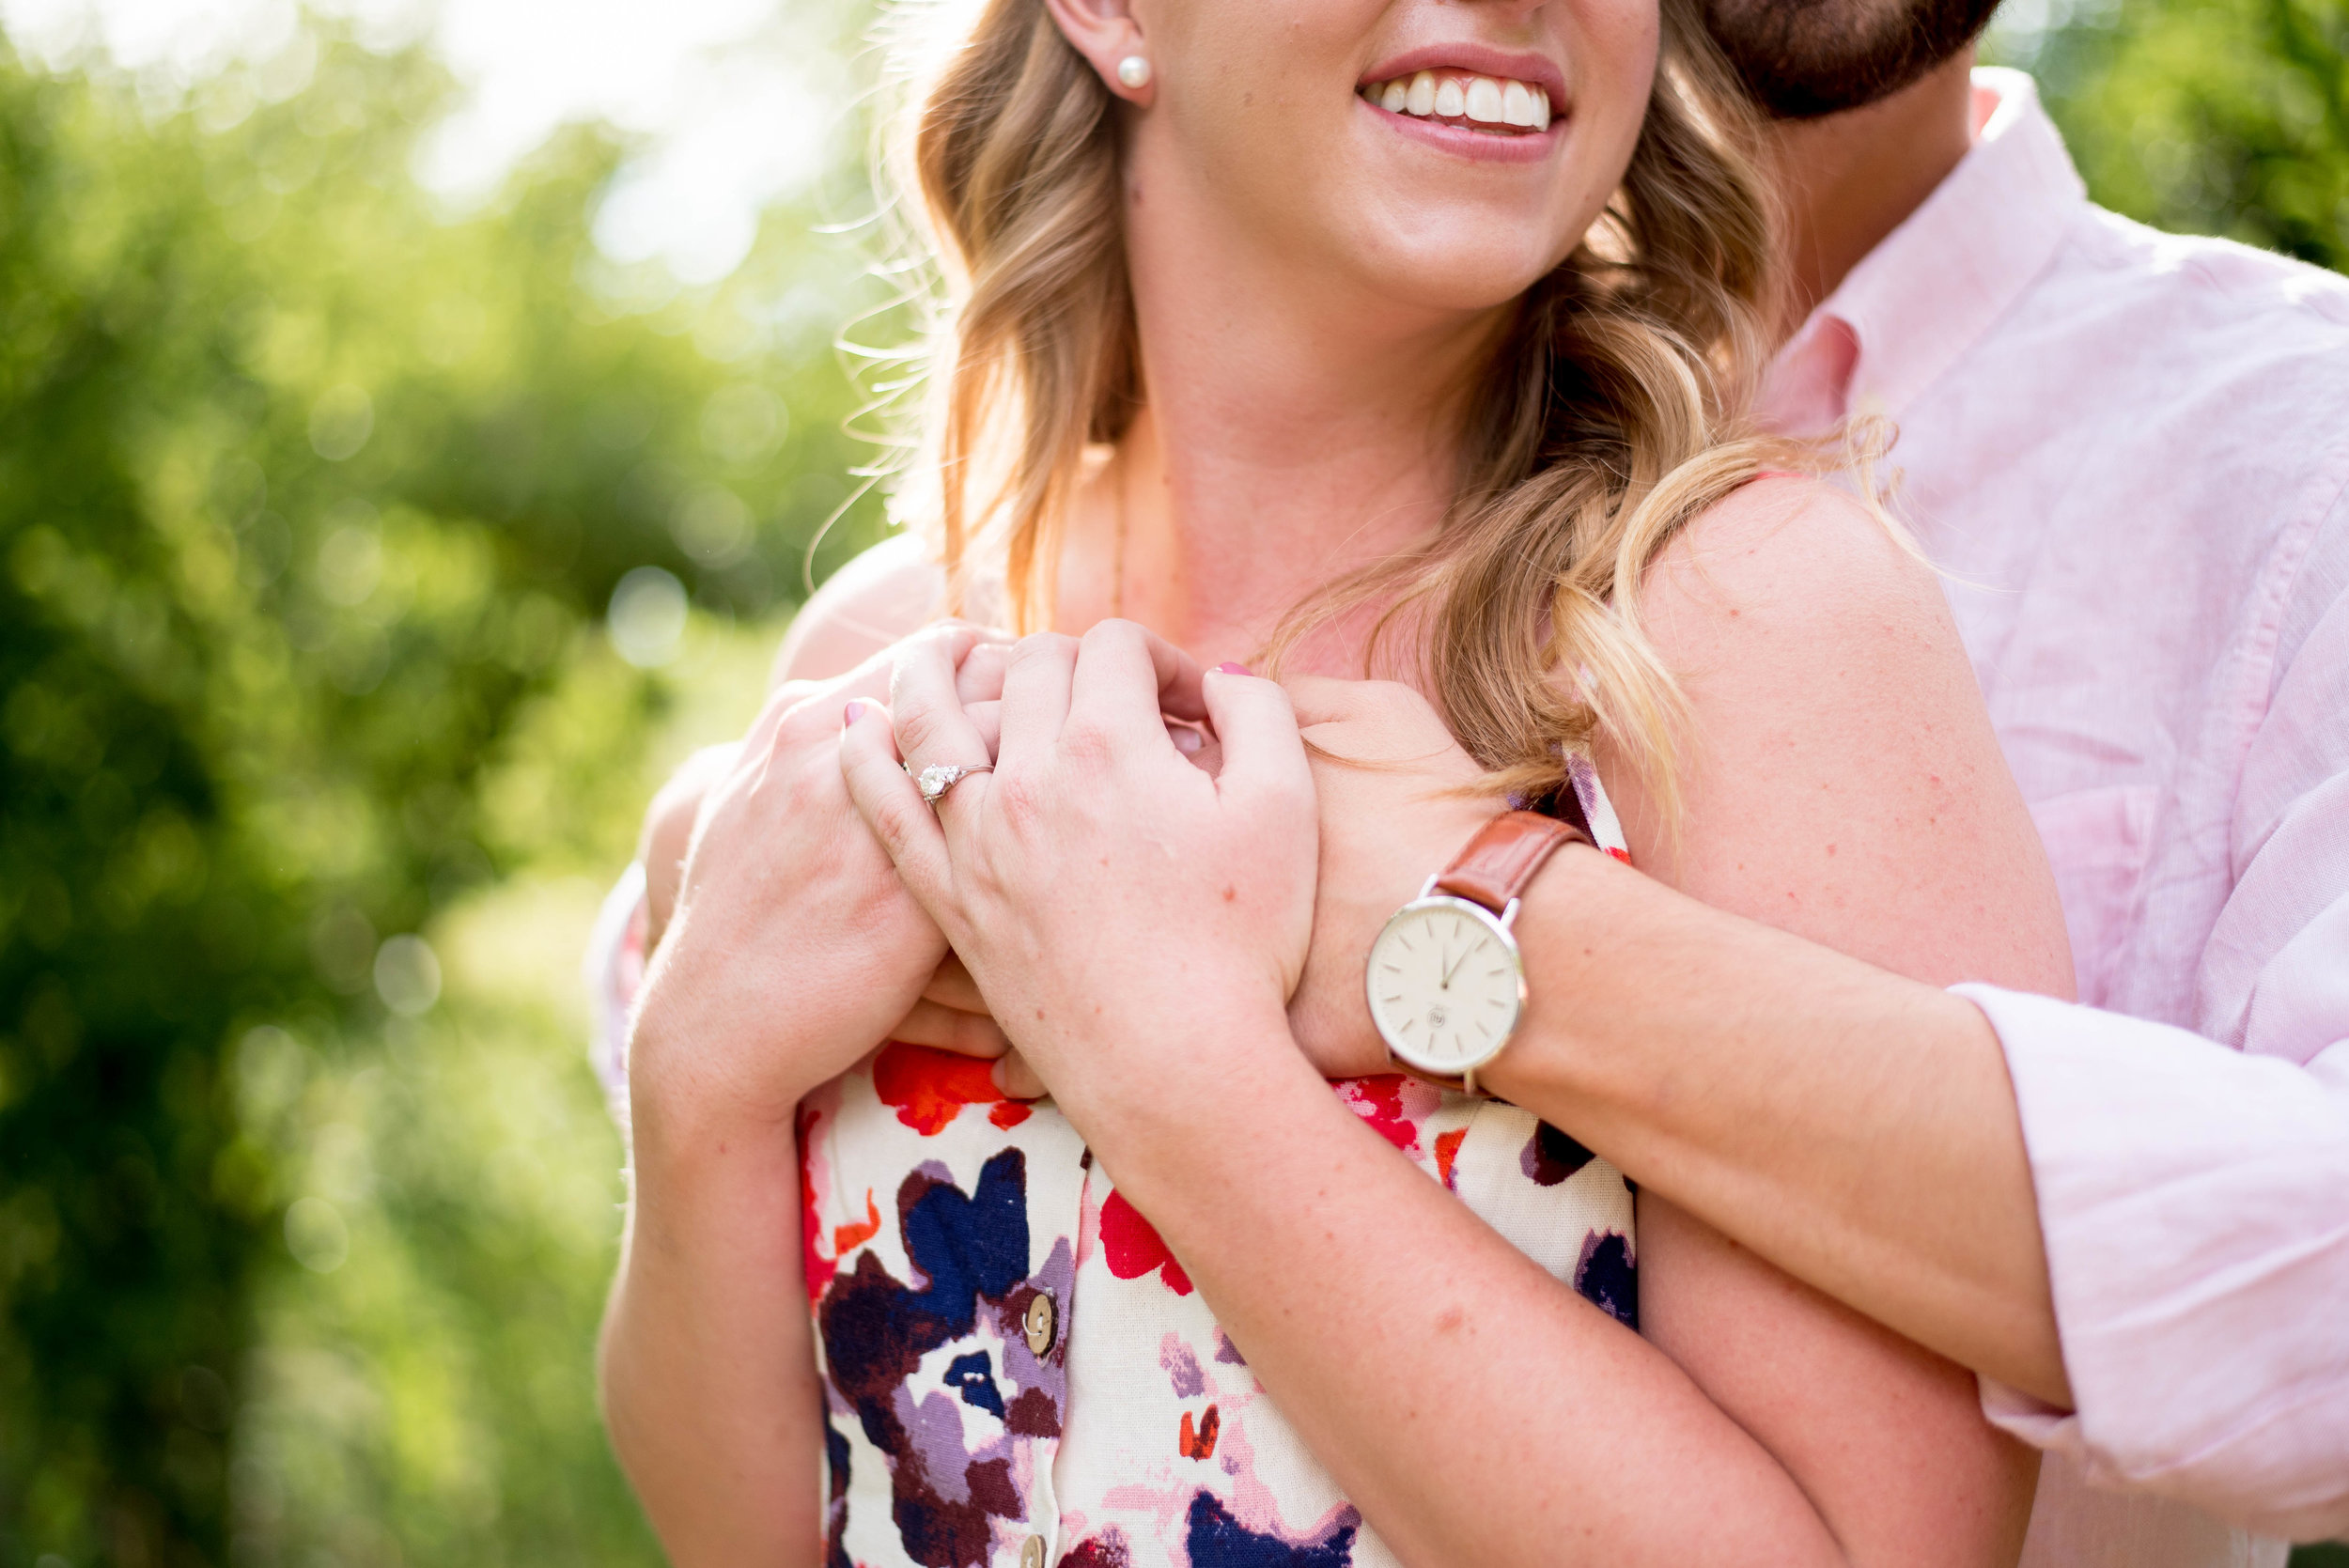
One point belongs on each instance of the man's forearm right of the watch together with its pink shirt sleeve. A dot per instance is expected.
(1981, 1168)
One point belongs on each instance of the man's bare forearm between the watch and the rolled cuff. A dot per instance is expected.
(1850, 1126)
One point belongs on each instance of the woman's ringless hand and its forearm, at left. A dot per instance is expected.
(793, 952)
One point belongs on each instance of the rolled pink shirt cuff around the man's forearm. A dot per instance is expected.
(2195, 1208)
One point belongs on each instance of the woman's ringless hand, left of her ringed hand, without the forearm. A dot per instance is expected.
(795, 947)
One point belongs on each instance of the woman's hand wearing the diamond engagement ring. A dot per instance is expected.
(1110, 895)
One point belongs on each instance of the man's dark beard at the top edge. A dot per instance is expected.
(1819, 58)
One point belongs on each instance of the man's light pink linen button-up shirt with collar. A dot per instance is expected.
(2129, 454)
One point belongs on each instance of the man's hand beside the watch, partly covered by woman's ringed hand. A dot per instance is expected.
(1396, 806)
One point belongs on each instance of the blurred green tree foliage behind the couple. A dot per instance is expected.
(325, 525)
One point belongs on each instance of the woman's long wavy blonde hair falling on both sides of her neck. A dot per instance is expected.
(1613, 412)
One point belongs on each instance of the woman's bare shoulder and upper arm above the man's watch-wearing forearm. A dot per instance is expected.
(1840, 773)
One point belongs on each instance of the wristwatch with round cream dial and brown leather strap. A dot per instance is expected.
(1446, 978)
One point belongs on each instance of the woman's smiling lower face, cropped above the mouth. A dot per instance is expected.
(1436, 154)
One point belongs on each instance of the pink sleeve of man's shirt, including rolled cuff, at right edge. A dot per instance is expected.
(2195, 1198)
